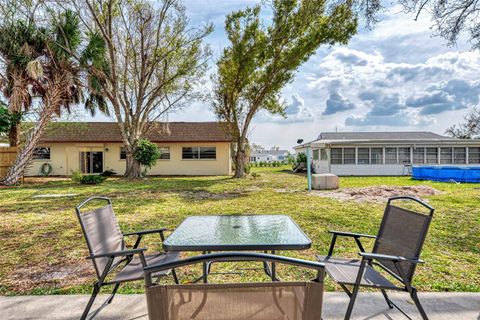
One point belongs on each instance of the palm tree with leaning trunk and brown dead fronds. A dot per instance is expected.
(54, 72)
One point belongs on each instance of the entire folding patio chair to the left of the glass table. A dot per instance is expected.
(109, 254)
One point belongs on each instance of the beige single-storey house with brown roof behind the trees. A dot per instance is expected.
(187, 148)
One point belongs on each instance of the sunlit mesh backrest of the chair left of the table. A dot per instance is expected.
(101, 231)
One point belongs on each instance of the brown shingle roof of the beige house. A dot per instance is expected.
(159, 132)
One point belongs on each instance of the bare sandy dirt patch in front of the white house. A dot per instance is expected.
(377, 193)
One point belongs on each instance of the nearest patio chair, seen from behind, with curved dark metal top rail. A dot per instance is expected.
(235, 301)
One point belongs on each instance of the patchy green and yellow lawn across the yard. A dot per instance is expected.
(43, 249)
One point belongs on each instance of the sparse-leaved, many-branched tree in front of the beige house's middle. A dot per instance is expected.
(155, 60)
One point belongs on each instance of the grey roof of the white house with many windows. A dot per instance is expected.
(379, 136)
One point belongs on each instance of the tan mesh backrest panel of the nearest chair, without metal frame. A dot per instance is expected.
(256, 301)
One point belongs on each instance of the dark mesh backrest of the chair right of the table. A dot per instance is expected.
(402, 233)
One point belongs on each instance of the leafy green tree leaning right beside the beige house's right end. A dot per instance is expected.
(260, 61)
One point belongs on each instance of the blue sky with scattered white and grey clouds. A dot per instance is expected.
(396, 77)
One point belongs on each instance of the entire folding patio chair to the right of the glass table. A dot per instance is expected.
(396, 251)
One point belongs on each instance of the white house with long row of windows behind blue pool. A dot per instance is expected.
(388, 153)
